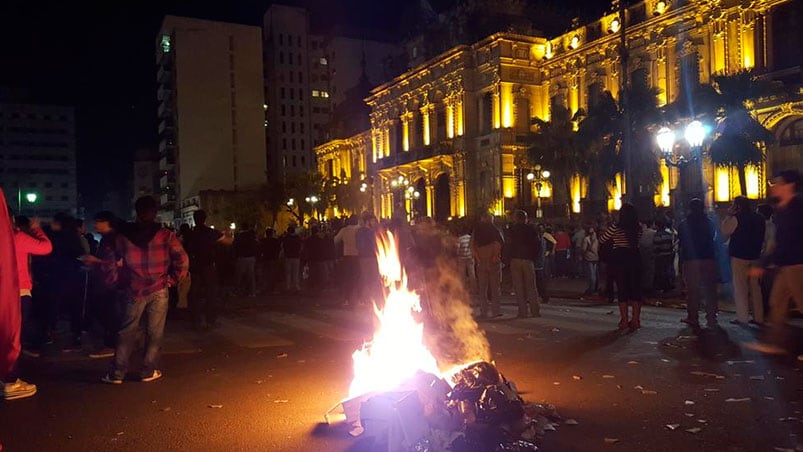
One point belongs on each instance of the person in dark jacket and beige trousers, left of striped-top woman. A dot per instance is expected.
(523, 248)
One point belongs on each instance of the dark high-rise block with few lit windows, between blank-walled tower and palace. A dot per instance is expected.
(306, 77)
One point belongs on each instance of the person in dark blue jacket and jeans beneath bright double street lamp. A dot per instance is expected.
(697, 257)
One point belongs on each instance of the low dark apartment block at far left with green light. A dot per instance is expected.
(37, 158)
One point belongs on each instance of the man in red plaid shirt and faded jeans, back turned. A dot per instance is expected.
(147, 260)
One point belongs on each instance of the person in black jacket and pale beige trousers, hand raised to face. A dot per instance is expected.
(746, 231)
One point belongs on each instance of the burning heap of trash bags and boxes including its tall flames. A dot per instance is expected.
(399, 400)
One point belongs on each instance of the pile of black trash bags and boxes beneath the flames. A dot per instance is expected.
(476, 409)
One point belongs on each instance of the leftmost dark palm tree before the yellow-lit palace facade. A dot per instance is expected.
(555, 147)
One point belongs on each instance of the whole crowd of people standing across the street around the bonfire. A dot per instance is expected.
(111, 290)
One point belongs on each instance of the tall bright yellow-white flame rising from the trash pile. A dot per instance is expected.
(397, 350)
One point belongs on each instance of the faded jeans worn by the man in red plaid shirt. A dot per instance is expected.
(154, 308)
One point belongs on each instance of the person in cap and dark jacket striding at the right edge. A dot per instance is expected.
(787, 256)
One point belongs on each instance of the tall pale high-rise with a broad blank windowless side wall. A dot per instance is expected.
(211, 128)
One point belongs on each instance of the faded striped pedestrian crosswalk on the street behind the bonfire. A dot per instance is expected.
(267, 328)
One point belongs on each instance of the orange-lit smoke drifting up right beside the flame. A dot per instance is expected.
(452, 334)
